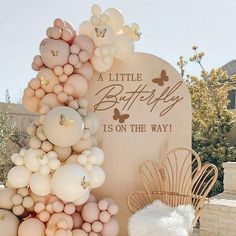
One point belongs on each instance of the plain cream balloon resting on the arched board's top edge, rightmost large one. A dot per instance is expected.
(124, 47)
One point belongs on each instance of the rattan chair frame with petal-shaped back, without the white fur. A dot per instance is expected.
(179, 179)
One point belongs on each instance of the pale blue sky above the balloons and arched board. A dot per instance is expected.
(169, 29)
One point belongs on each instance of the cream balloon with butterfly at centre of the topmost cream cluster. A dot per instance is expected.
(103, 35)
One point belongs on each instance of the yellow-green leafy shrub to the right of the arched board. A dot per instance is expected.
(211, 121)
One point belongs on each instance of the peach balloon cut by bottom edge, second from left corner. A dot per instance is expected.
(31, 227)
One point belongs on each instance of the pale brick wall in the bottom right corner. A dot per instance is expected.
(219, 218)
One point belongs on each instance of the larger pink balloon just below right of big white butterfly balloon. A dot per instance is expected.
(90, 212)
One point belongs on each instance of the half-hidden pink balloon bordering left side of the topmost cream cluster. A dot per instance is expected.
(85, 43)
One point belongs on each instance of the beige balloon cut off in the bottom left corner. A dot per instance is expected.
(9, 223)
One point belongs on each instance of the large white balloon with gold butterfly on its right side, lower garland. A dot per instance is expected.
(70, 182)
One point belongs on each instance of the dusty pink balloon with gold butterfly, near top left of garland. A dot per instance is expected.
(54, 52)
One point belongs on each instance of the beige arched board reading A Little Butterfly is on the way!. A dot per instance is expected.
(145, 110)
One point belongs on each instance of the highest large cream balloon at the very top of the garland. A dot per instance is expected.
(116, 19)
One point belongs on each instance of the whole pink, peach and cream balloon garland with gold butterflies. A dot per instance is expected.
(48, 189)
